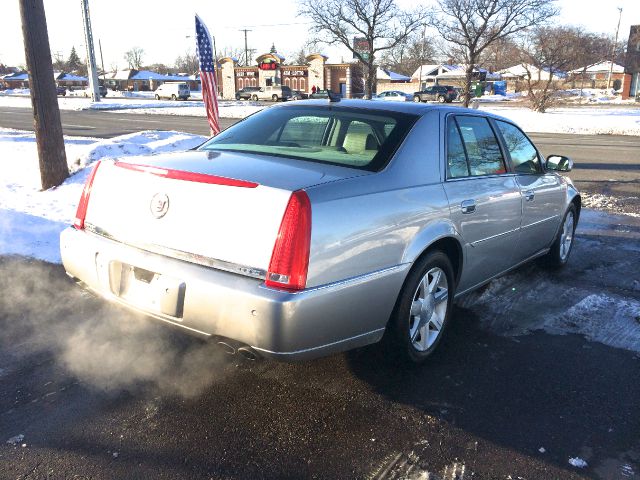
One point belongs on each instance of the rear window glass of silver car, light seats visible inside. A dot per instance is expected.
(357, 138)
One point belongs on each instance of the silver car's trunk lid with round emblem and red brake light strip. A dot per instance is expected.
(215, 208)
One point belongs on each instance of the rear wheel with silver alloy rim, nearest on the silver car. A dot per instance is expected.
(423, 308)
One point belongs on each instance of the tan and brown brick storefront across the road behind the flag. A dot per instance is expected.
(343, 78)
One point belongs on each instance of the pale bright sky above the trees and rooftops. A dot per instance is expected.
(162, 28)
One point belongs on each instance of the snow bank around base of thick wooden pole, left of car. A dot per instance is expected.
(31, 220)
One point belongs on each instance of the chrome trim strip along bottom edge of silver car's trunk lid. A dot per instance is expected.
(185, 256)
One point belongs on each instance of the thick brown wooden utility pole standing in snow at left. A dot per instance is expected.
(46, 114)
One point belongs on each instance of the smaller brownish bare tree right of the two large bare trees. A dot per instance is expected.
(548, 52)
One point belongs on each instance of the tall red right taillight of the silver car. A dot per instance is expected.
(290, 257)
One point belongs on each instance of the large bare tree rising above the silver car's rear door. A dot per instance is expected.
(474, 25)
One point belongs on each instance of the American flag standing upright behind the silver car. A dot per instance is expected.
(207, 75)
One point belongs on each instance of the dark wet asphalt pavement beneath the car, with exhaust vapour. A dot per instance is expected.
(89, 391)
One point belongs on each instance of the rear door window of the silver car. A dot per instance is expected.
(483, 150)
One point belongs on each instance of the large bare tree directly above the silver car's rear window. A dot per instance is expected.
(380, 23)
